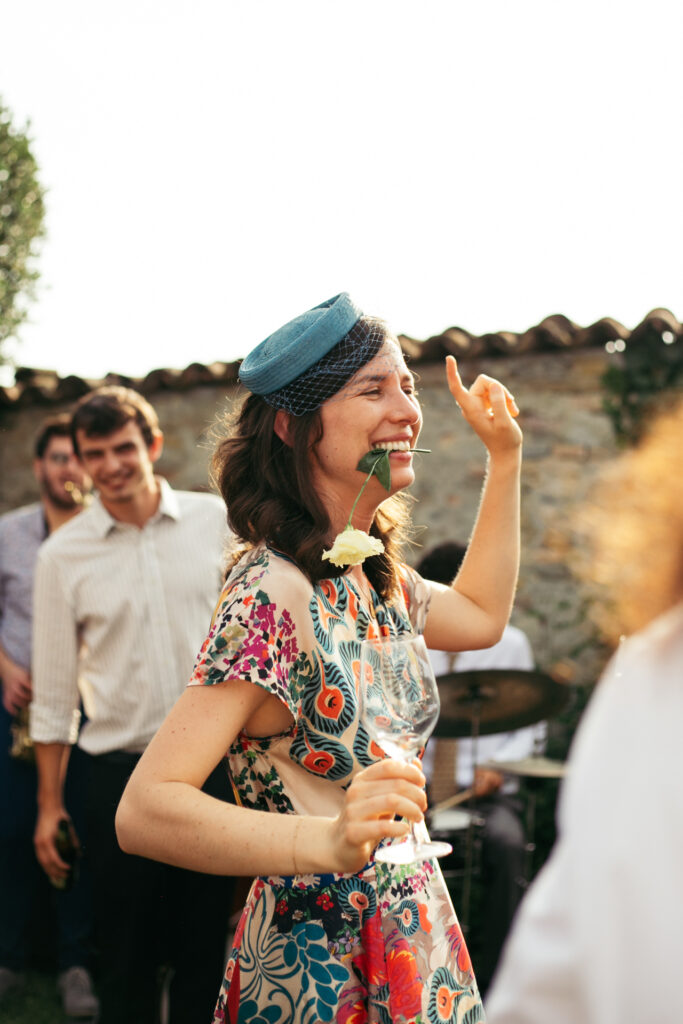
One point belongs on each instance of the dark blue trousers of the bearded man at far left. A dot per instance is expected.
(27, 899)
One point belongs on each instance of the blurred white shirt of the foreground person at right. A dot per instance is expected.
(599, 937)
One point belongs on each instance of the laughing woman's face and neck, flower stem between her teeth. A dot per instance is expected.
(378, 409)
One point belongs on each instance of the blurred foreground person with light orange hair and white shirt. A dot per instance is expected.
(600, 937)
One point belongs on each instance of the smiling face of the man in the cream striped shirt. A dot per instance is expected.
(120, 464)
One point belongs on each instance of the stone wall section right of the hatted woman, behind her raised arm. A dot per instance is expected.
(568, 439)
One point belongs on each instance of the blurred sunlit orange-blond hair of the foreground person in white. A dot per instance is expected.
(634, 529)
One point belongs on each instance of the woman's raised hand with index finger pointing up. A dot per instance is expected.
(489, 408)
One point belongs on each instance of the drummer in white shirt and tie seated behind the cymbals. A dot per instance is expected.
(498, 802)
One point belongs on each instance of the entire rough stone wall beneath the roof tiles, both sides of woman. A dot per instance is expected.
(568, 440)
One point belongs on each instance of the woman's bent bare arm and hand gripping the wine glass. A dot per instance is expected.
(164, 816)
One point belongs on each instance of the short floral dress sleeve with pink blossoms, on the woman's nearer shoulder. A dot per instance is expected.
(251, 638)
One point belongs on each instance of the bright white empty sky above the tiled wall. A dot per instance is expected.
(215, 167)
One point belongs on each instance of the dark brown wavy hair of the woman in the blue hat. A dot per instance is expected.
(267, 487)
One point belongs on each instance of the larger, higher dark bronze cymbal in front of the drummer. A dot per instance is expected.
(500, 700)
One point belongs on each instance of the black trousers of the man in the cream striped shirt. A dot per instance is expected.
(150, 916)
